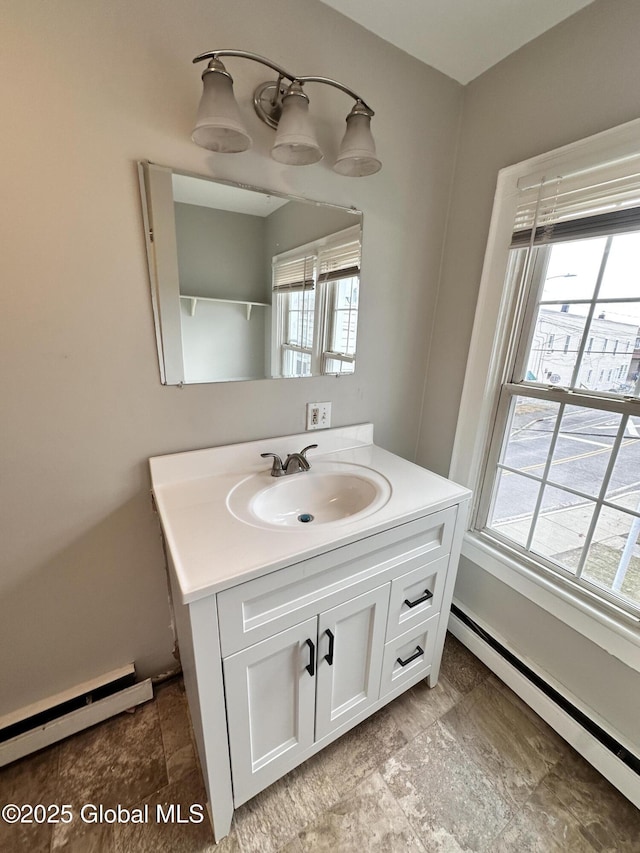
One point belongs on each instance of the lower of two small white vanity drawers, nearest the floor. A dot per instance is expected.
(408, 657)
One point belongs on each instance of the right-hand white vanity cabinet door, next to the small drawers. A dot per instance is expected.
(350, 650)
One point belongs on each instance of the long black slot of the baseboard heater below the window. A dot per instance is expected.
(629, 759)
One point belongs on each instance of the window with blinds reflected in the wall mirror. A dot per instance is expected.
(315, 302)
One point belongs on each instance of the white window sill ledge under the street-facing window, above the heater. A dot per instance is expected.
(619, 636)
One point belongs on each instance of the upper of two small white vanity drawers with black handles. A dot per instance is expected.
(416, 596)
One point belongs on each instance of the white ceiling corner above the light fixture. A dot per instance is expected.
(461, 38)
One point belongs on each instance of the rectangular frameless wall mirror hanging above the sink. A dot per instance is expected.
(248, 284)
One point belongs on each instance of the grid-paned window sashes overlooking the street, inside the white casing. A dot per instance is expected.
(562, 471)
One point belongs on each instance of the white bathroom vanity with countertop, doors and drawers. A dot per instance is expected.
(302, 603)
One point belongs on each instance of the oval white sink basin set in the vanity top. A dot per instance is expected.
(330, 493)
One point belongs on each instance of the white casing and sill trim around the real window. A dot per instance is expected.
(495, 312)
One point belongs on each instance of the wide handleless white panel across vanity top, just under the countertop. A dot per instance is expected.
(259, 608)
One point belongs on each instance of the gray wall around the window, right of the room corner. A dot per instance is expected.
(576, 80)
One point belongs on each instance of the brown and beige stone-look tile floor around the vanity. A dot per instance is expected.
(464, 767)
